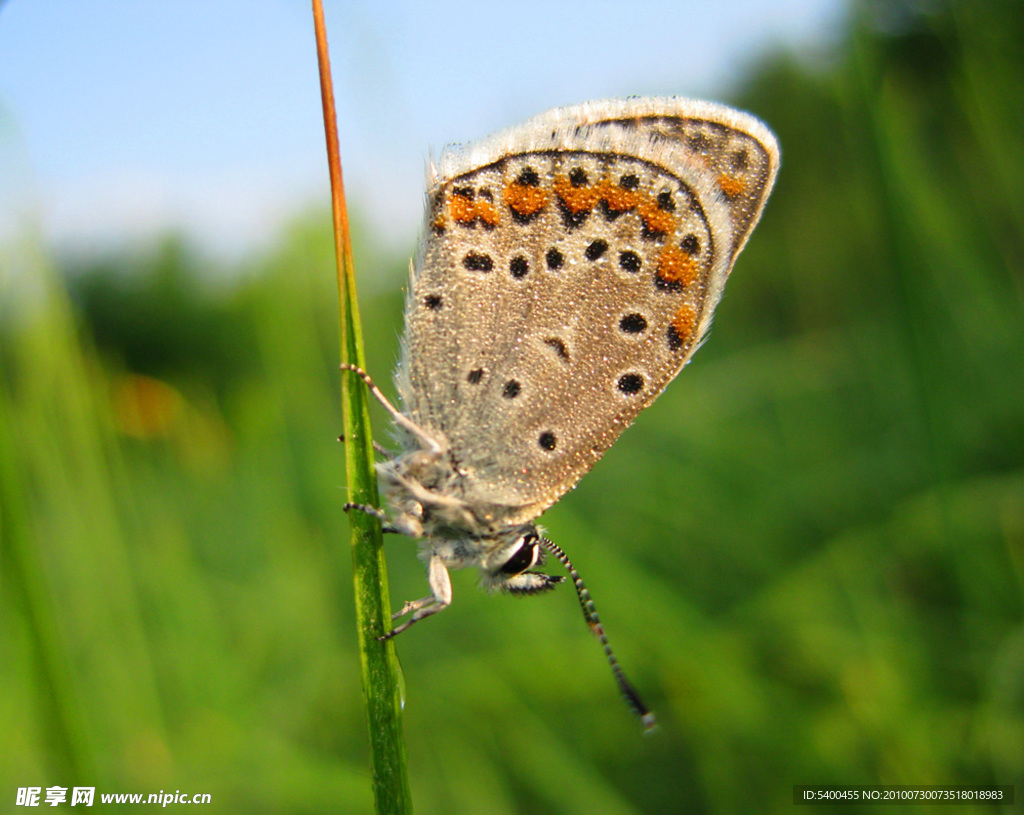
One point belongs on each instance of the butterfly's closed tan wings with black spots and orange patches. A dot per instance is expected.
(570, 270)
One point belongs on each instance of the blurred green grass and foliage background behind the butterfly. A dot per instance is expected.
(809, 554)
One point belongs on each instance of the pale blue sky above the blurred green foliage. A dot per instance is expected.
(120, 119)
